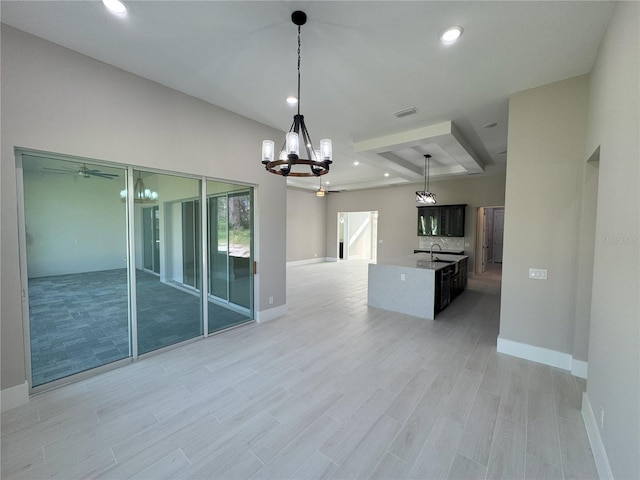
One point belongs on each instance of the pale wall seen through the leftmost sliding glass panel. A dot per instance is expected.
(73, 224)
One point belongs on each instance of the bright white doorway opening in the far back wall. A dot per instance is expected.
(357, 235)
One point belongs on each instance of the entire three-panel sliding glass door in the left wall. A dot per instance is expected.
(114, 273)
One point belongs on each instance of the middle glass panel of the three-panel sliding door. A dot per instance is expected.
(168, 306)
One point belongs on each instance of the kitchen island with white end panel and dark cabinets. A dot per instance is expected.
(416, 284)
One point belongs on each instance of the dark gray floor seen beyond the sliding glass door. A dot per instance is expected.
(80, 321)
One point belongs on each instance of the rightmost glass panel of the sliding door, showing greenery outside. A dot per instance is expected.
(230, 233)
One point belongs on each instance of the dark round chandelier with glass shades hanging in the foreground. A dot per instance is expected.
(318, 161)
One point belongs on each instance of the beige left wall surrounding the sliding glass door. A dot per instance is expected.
(56, 100)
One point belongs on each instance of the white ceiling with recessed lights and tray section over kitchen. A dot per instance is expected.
(361, 62)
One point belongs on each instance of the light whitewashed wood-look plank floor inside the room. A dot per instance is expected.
(333, 390)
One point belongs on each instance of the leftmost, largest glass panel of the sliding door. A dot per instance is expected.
(76, 252)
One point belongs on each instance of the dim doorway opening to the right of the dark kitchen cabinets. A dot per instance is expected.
(489, 237)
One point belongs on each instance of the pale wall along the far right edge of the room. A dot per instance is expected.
(614, 343)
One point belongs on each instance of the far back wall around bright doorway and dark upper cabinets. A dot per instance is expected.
(397, 212)
